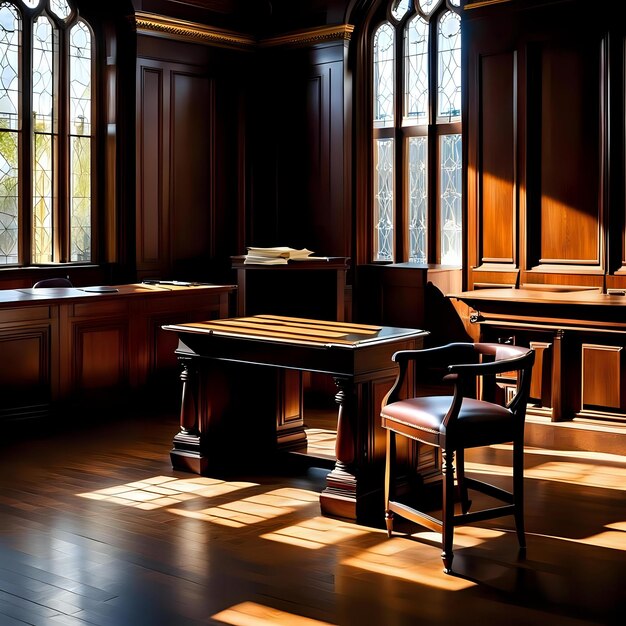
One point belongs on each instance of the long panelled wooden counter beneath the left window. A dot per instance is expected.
(71, 345)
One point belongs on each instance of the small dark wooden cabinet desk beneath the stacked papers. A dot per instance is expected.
(305, 282)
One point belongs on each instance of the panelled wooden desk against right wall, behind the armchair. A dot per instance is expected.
(579, 336)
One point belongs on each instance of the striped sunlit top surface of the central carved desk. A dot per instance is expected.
(301, 331)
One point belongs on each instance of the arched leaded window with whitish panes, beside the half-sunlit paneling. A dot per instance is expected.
(416, 125)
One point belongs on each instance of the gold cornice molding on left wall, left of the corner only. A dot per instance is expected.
(158, 25)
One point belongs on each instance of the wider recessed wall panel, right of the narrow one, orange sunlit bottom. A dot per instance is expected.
(570, 151)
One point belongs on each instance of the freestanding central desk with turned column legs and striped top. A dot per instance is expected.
(236, 396)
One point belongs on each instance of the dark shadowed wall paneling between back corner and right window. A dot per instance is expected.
(301, 190)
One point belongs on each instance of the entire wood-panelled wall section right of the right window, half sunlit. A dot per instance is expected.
(544, 144)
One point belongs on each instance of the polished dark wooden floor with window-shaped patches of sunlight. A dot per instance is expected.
(96, 528)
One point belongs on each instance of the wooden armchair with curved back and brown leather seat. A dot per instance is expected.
(468, 415)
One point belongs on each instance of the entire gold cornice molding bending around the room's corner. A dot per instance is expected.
(162, 26)
